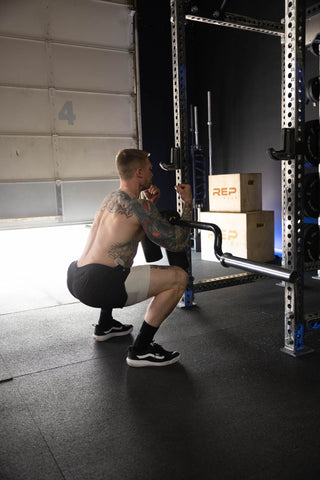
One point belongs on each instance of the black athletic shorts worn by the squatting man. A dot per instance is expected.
(97, 285)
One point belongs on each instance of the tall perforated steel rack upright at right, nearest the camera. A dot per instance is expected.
(293, 107)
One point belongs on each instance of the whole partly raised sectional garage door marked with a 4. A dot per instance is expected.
(68, 104)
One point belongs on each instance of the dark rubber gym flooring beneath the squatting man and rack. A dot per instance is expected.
(234, 407)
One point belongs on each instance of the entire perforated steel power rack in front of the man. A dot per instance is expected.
(295, 33)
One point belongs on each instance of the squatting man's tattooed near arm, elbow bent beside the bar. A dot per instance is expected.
(158, 229)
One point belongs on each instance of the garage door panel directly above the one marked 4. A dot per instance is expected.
(79, 68)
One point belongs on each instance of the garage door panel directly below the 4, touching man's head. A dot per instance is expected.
(90, 158)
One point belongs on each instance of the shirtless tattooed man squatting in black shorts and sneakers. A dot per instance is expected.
(103, 276)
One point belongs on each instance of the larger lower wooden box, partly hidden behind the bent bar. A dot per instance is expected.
(248, 235)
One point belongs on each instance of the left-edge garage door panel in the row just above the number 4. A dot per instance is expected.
(23, 63)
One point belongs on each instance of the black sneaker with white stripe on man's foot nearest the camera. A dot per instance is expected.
(153, 356)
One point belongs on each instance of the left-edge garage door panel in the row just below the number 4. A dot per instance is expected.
(26, 158)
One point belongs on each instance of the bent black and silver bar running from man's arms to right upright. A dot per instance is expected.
(228, 260)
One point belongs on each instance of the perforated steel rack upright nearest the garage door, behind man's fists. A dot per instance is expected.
(180, 110)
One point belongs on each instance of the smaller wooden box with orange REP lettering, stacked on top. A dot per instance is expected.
(236, 192)
